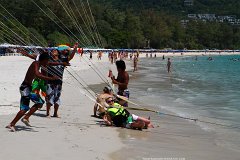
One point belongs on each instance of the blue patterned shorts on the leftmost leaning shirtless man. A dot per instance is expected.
(27, 95)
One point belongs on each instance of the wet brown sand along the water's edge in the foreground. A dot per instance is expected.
(172, 138)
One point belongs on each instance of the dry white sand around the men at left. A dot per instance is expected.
(76, 135)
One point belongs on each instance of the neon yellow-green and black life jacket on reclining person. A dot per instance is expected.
(118, 114)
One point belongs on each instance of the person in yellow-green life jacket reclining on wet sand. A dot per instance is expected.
(120, 117)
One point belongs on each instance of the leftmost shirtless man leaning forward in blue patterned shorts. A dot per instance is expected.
(25, 89)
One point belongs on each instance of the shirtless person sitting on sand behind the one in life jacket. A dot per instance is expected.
(100, 105)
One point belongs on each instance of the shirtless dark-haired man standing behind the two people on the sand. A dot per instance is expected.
(122, 81)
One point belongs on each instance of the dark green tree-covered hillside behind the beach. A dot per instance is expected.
(119, 24)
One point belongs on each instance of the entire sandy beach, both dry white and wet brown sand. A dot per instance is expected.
(77, 135)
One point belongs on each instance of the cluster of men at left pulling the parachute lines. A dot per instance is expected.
(44, 75)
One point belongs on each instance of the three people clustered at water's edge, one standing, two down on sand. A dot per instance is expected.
(112, 108)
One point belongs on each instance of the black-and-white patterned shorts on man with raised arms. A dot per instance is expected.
(54, 93)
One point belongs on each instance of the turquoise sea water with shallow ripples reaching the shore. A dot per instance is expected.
(195, 88)
